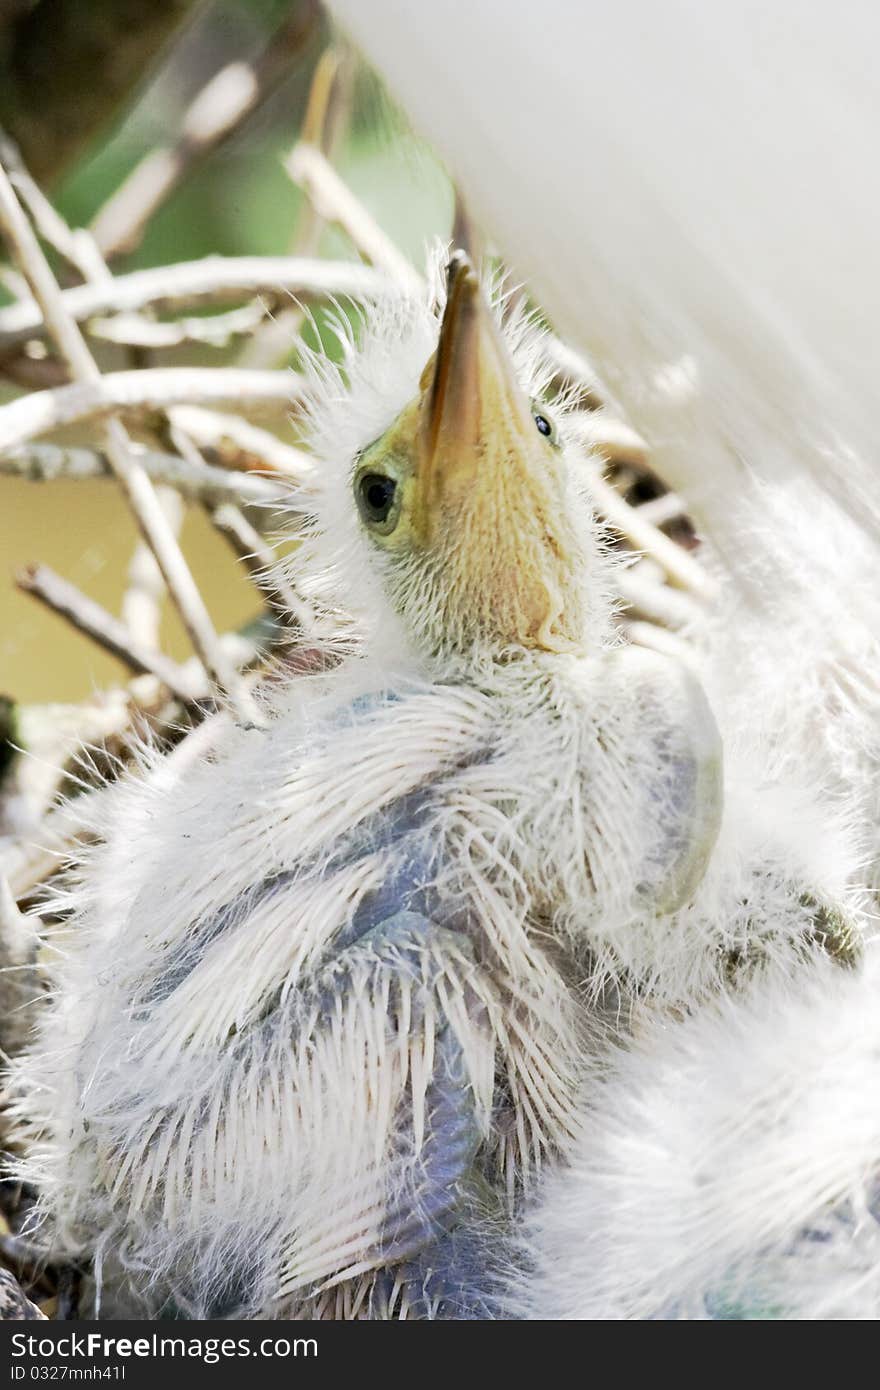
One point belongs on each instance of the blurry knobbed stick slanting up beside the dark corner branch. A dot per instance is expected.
(213, 116)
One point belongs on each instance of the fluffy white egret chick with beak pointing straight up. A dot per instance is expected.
(327, 997)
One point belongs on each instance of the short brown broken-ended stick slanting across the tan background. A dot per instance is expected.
(95, 622)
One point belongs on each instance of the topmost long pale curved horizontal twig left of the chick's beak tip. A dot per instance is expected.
(213, 279)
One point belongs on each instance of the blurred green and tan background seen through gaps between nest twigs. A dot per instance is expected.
(238, 202)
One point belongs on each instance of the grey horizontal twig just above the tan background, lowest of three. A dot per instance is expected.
(208, 484)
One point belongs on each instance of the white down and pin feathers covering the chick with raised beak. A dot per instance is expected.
(197, 1113)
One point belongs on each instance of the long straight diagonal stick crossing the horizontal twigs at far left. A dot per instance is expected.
(133, 477)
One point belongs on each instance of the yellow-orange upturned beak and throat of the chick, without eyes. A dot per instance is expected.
(490, 487)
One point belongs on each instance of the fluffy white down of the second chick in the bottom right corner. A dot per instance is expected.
(728, 1166)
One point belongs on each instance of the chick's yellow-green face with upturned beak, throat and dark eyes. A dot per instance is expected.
(464, 501)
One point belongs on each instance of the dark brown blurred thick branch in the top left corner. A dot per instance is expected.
(69, 66)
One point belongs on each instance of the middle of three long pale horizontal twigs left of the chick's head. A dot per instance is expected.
(133, 393)
